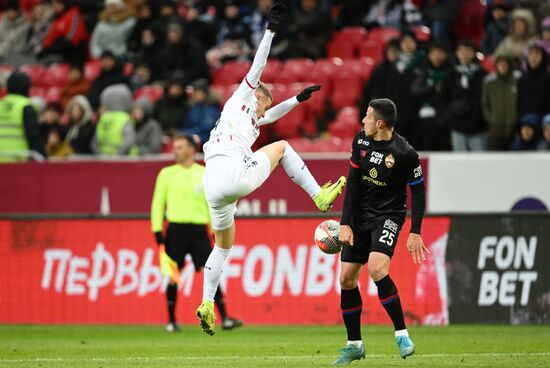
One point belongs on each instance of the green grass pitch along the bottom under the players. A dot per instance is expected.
(273, 346)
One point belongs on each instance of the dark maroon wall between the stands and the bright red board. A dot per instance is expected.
(75, 187)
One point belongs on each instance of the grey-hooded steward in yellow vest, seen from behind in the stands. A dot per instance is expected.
(115, 134)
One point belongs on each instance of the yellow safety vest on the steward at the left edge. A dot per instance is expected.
(13, 143)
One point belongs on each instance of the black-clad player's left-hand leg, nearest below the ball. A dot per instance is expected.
(352, 305)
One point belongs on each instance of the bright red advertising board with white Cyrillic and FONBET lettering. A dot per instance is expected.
(106, 271)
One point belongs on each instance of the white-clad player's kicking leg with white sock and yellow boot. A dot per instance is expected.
(283, 153)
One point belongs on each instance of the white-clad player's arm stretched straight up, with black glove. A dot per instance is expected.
(275, 18)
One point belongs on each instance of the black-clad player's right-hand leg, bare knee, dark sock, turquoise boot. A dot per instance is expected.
(379, 266)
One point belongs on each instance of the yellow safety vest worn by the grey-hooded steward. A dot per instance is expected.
(110, 132)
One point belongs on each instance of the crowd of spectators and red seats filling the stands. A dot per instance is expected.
(119, 77)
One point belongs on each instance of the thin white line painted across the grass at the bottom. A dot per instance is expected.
(275, 357)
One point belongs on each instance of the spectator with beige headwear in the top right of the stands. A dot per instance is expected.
(522, 31)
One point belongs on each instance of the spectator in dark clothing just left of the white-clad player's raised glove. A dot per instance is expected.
(234, 37)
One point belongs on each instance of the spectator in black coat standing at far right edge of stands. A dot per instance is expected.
(534, 83)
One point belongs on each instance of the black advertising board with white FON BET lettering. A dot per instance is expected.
(498, 269)
